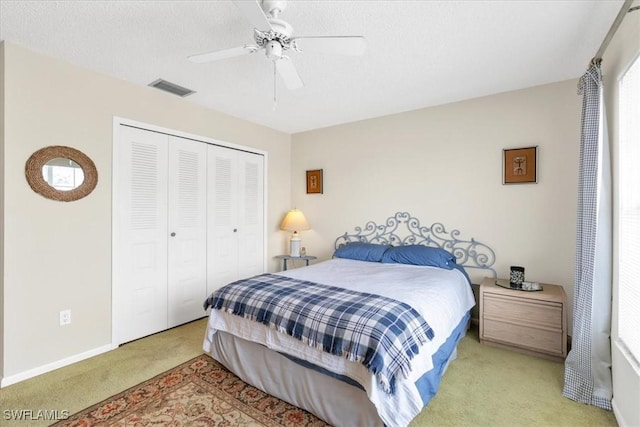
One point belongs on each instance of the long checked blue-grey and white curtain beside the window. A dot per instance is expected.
(587, 377)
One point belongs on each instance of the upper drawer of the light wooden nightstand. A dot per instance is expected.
(523, 311)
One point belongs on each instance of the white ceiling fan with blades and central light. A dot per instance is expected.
(275, 36)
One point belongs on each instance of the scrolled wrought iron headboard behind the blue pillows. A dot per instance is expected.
(404, 229)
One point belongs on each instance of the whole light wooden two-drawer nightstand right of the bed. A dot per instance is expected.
(529, 322)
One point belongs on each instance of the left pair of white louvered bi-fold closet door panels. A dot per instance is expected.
(160, 232)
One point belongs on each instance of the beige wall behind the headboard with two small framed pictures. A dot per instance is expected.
(444, 164)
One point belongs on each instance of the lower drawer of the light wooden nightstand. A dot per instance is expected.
(541, 340)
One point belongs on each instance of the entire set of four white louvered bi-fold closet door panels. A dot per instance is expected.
(167, 259)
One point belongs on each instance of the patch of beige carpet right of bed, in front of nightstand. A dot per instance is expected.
(488, 386)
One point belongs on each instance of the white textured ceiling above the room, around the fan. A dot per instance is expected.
(419, 53)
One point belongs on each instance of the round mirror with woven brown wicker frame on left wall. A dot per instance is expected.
(61, 173)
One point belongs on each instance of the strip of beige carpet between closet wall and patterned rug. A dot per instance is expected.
(75, 387)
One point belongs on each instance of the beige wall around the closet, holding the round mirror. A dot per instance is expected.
(59, 254)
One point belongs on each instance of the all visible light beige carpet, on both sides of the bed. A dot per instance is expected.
(485, 386)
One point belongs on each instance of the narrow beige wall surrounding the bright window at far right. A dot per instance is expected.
(624, 47)
